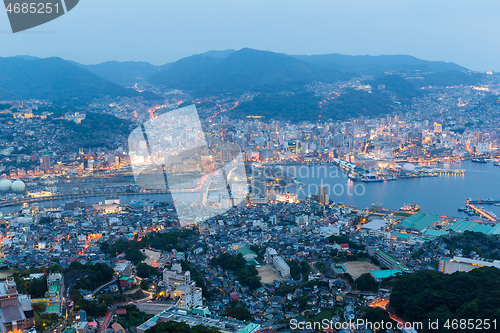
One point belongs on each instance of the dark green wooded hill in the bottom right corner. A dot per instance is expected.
(427, 295)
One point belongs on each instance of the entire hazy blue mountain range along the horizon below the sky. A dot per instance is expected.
(211, 73)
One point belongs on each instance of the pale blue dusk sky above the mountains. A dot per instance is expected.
(162, 31)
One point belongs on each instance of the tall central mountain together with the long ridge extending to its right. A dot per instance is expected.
(230, 71)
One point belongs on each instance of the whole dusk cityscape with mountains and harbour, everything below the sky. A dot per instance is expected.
(248, 191)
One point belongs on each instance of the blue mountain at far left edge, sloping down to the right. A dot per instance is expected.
(56, 80)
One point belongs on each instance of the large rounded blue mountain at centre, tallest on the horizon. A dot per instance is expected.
(241, 71)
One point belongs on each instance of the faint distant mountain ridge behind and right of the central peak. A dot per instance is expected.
(378, 64)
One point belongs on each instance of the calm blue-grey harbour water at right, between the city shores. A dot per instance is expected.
(441, 195)
